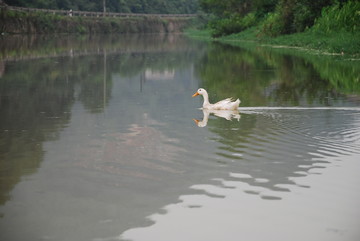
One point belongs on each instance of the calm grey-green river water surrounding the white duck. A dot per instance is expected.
(98, 142)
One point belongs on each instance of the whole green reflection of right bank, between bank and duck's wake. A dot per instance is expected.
(263, 77)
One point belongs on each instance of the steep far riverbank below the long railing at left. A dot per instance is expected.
(15, 22)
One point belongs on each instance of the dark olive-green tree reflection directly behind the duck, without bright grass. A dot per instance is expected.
(261, 77)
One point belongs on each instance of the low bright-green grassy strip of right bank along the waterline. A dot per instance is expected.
(344, 43)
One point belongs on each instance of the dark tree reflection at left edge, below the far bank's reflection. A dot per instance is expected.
(36, 99)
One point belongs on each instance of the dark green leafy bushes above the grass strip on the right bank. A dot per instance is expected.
(283, 16)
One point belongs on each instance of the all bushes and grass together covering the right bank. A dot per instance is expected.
(329, 26)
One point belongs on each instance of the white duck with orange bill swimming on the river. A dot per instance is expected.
(226, 104)
